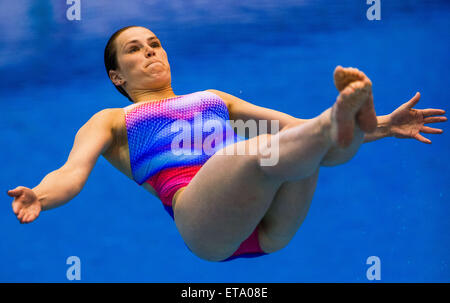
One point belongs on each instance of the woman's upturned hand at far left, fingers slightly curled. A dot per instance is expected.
(26, 205)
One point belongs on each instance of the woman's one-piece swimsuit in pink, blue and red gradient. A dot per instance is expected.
(169, 142)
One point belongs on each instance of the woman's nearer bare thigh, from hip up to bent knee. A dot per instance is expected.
(223, 204)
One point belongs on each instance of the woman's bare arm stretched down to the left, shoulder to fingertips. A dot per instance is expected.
(63, 184)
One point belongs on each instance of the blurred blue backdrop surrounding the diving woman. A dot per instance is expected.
(391, 200)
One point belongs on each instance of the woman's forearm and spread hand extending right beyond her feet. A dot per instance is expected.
(407, 122)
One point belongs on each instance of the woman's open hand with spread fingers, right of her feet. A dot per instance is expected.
(407, 122)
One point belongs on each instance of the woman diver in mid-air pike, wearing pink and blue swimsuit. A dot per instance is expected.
(225, 205)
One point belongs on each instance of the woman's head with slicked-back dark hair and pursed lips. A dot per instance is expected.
(136, 61)
